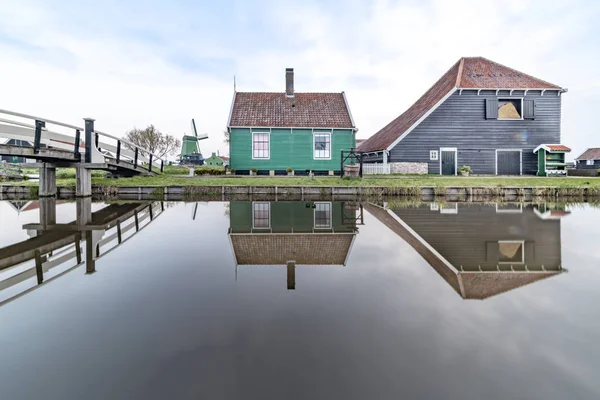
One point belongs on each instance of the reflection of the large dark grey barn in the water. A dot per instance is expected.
(480, 250)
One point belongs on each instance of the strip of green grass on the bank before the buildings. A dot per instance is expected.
(439, 182)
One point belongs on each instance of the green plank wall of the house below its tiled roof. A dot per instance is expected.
(289, 148)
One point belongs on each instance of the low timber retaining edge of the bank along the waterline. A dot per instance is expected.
(321, 191)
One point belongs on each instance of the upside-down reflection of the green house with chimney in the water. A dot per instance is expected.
(292, 233)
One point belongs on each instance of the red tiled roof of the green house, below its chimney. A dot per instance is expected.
(310, 110)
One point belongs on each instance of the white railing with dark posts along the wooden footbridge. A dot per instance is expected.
(86, 140)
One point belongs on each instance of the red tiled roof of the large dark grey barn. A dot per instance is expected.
(467, 73)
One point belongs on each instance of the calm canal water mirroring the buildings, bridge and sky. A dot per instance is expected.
(298, 300)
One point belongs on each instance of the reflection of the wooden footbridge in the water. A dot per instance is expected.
(56, 249)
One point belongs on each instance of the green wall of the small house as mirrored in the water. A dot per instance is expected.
(290, 216)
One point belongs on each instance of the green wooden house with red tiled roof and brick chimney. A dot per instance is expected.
(303, 131)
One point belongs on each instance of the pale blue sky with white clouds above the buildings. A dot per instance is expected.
(134, 63)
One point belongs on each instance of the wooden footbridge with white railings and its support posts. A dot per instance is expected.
(57, 144)
